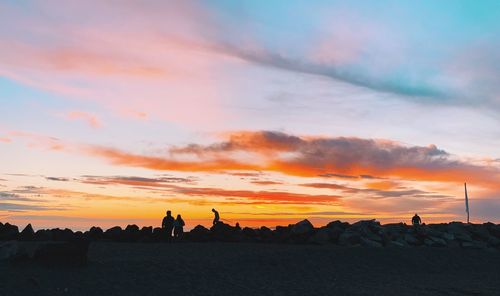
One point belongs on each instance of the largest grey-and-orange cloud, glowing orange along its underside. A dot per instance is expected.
(312, 157)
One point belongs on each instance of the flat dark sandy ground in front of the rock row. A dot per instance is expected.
(260, 269)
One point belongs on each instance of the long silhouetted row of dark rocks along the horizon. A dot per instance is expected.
(369, 233)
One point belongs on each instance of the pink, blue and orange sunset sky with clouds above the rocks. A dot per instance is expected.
(271, 112)
